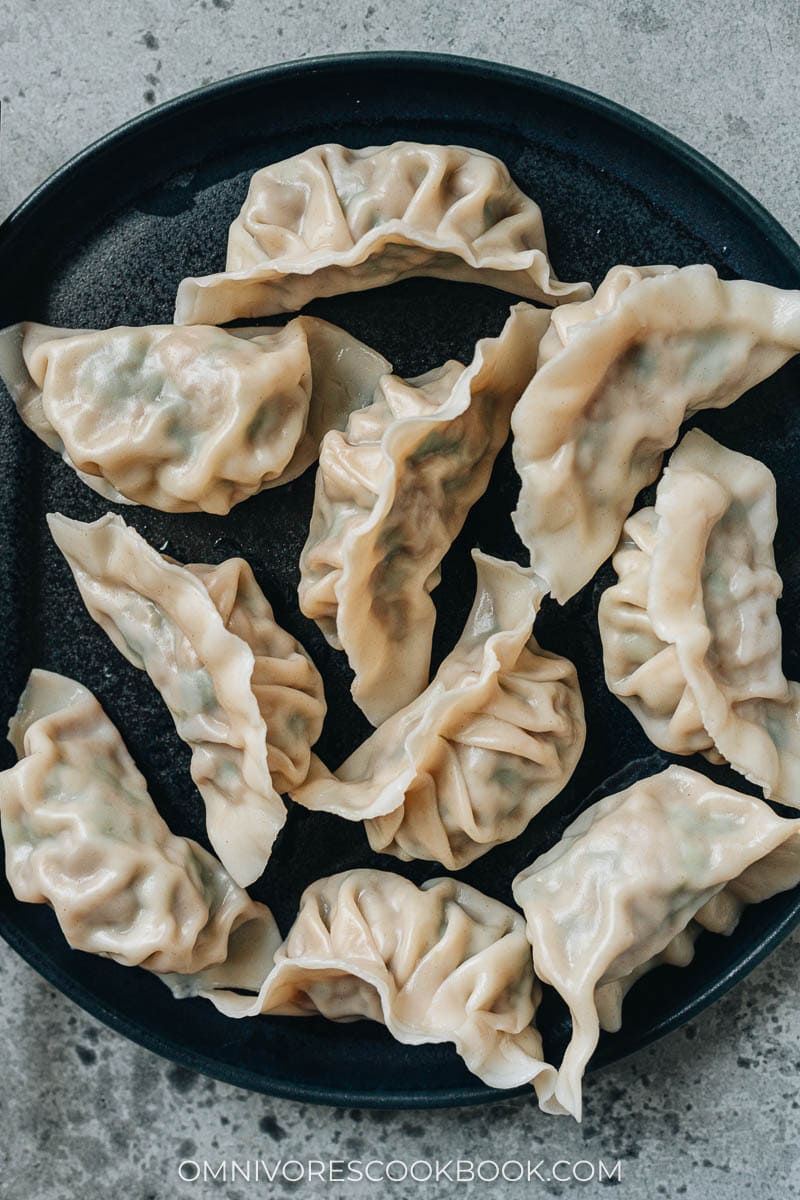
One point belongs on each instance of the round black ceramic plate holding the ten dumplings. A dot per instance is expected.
(106, 242)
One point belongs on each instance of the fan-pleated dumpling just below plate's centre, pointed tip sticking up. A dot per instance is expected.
(480, 753)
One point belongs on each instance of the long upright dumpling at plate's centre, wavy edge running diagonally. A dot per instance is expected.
(393, 493)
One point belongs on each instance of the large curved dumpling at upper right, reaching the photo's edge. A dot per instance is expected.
(617, 377)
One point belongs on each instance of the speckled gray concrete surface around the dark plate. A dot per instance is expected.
(711, 1112)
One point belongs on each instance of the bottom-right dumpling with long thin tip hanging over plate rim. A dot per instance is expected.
(631, 885)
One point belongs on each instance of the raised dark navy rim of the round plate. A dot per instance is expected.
(629, 121)
